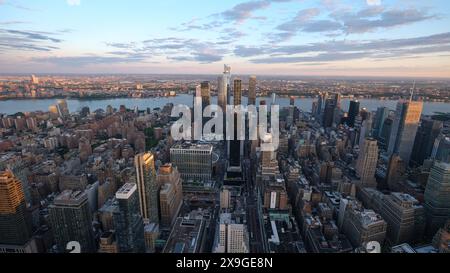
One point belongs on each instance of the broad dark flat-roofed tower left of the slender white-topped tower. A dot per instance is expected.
(71, 220)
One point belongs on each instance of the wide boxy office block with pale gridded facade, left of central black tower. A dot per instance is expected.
(194, 161)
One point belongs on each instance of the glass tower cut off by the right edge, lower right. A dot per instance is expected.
(437, 197)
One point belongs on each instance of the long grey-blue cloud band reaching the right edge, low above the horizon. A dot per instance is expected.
(348, 50)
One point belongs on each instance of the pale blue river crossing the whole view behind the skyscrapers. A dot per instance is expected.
(13, 106)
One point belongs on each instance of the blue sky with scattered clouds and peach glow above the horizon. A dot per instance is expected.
(387, 38)
